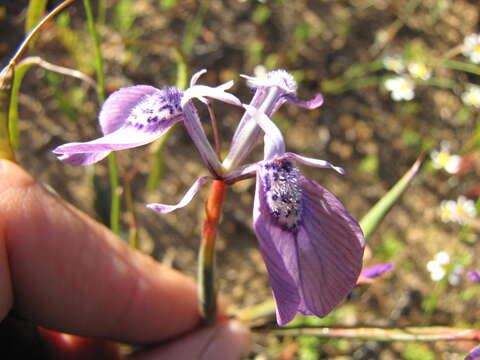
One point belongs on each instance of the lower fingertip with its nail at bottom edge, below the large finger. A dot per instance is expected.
(225, 341)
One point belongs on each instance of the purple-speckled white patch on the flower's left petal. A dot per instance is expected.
(149, 113)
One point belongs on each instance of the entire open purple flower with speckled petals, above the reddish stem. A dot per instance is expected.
(311, 245)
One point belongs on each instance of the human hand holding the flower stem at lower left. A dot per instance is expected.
(61, 270)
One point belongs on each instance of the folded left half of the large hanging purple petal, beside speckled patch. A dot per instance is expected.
(278, 248)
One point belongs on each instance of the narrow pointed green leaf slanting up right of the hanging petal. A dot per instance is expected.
(375, 215)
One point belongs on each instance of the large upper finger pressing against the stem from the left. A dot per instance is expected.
(71, 274)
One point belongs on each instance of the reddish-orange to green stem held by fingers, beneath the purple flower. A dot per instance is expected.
(206, 260)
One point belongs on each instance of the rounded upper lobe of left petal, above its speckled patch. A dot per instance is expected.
(116, 109)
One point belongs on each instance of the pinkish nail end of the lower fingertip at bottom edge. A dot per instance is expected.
(230, 342)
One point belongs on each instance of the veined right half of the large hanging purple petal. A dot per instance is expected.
(330, 249)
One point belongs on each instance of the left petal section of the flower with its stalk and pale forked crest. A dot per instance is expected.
(137, 115)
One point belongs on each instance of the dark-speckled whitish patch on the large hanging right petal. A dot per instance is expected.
(283, 193)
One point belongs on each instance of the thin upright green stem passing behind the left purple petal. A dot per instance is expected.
(112, 160)
